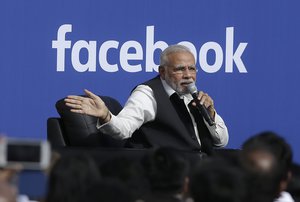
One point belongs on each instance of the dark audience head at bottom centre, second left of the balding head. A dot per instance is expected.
(167, 173)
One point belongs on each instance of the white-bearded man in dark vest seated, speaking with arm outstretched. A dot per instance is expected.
(152, 116)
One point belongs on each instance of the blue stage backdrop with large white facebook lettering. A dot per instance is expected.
(247, 53)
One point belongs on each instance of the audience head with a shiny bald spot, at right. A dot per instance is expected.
(267, 159)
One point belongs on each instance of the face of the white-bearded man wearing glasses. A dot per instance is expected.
(180, 71)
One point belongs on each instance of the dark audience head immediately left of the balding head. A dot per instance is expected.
(216, 180)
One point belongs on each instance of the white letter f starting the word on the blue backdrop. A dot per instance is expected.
(61, 44)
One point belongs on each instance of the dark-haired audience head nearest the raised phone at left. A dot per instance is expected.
(71, 177)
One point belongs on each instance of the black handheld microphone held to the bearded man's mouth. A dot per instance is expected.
(194, 92)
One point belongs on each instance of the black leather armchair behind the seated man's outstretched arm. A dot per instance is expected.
(73, 129)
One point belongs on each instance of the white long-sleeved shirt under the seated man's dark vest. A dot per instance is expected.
(141, 108)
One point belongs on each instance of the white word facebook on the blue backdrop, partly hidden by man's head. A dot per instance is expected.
(227, 56)
